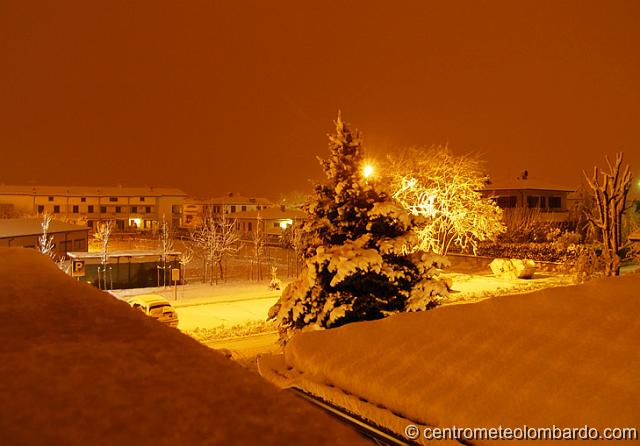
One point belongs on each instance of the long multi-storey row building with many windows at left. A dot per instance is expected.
(132, 208)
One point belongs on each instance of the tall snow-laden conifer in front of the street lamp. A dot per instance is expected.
(359, 263)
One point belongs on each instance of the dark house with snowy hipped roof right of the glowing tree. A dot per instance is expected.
(524, 193)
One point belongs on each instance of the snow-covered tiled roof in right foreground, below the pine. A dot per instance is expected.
(562, 356)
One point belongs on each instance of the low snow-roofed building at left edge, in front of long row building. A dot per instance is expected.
(25, 232)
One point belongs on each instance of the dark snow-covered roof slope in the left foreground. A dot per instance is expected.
(78, 367)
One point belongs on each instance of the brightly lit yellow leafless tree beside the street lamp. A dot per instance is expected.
(443, 189)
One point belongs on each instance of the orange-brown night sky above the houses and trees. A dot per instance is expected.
(214, 96)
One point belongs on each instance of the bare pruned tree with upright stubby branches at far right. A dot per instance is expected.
(610, 198)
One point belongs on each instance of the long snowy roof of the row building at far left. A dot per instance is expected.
(90, 191)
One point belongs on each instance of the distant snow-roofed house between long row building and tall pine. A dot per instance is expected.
(195, 210)
